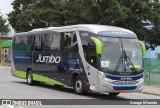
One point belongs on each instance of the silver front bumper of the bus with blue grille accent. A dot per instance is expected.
(115, 86)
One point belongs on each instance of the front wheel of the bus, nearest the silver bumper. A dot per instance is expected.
(78, 86)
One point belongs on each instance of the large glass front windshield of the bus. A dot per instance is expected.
(121, 54)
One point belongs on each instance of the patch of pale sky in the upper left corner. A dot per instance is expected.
(5, 7)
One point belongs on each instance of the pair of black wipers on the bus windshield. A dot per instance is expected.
(124, 59)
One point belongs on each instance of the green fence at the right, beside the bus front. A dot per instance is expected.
(152, 72)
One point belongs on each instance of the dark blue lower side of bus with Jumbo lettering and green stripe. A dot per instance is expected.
(50, 67)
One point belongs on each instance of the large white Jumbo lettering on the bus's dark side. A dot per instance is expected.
(48, 59)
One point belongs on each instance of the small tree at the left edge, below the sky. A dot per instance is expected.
(3, 26)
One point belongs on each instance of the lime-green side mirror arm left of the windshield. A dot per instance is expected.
(98, 45)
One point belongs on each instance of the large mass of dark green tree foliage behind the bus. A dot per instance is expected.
(30, 14)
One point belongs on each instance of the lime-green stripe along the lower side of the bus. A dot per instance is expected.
(36, 77)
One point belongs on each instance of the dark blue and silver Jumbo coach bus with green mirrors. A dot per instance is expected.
(98, 58)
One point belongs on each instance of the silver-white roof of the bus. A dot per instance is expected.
(93, 28)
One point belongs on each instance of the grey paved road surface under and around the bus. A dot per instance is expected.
(16, 88)
